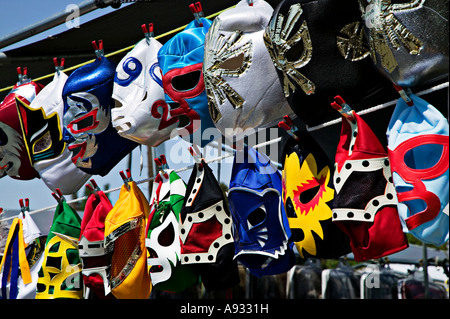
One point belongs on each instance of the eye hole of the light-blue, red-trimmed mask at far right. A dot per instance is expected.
(423, 156)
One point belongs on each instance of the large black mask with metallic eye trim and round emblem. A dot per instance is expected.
(315, 60)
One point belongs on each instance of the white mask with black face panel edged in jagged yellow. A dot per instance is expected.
(41, 123)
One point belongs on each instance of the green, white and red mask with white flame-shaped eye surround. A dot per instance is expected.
(163, 239)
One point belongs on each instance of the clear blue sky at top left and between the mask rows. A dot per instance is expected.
(16, 15)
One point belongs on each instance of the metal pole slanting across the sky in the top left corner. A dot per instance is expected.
(48, 23)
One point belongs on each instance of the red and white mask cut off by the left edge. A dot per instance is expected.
(14, 159)
